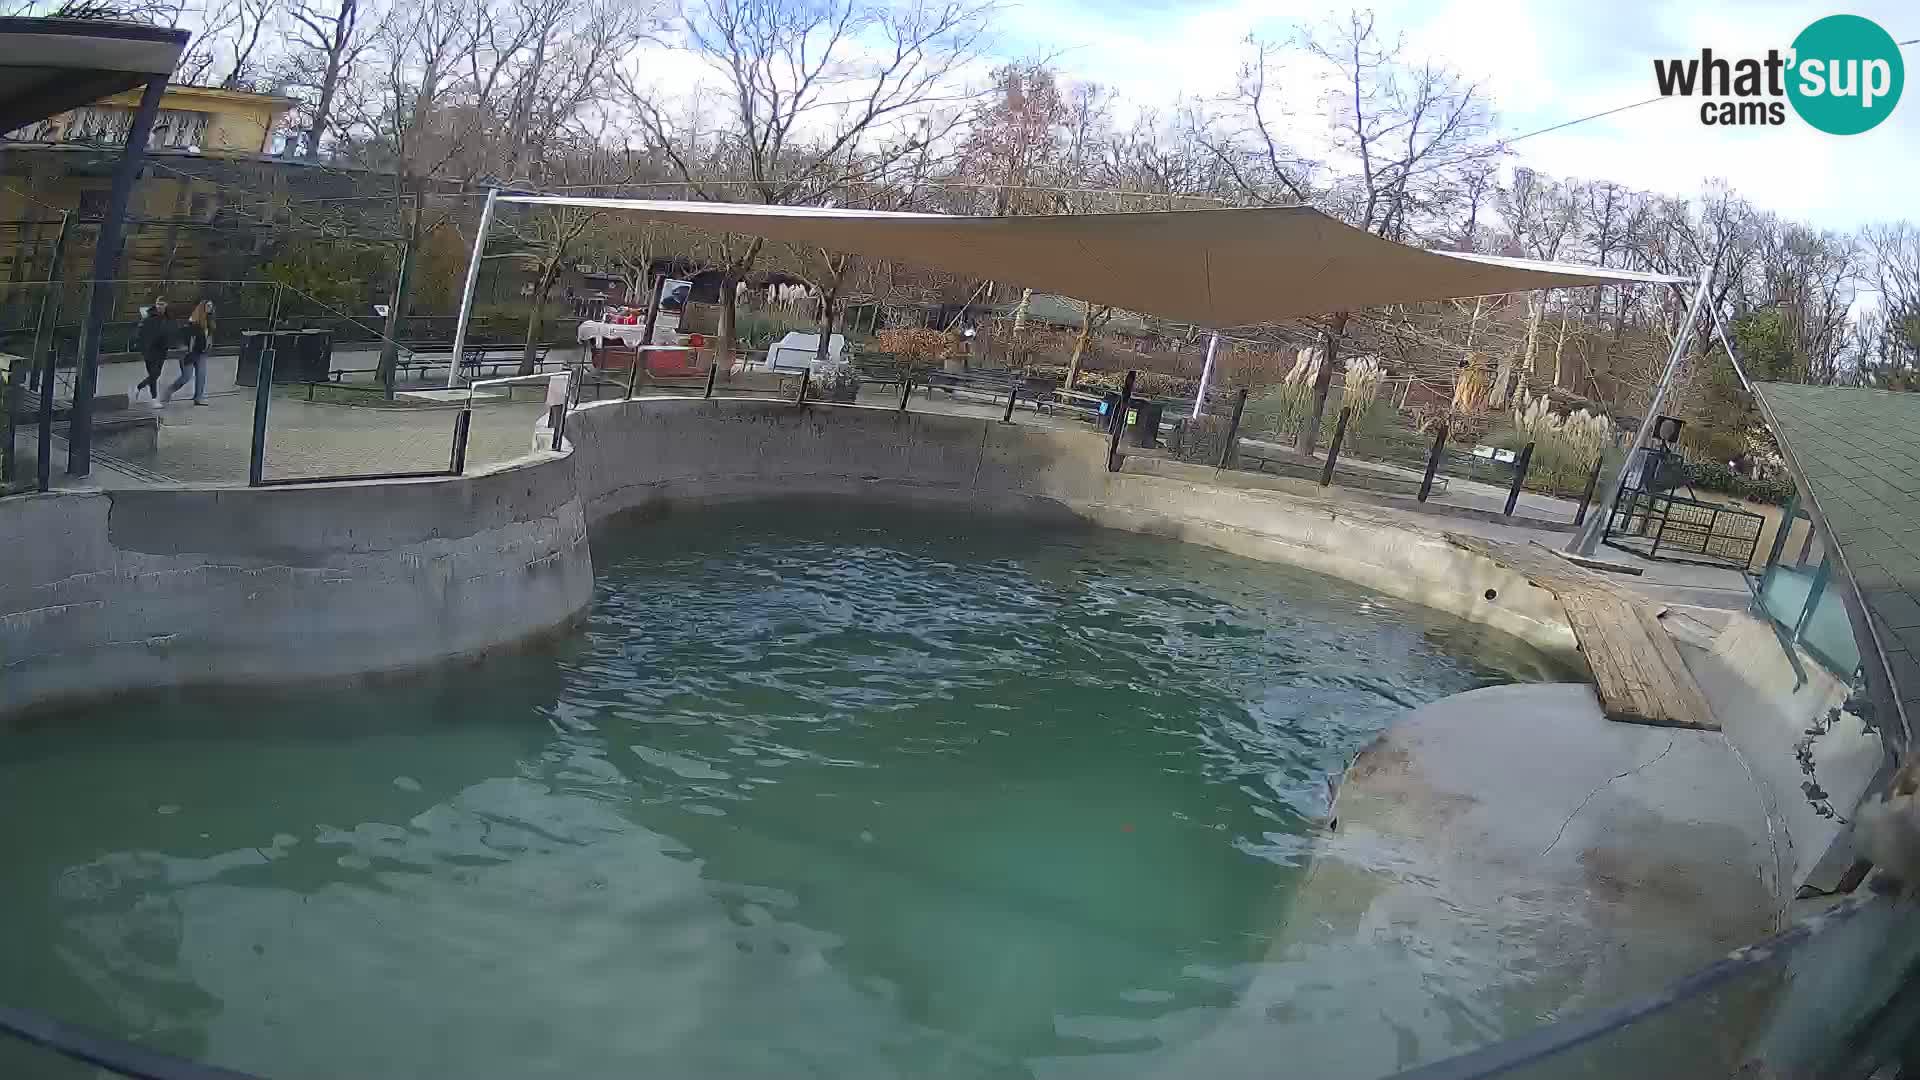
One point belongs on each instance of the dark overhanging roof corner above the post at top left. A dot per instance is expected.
(51, 66)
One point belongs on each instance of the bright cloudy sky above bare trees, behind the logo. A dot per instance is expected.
(1545, 62)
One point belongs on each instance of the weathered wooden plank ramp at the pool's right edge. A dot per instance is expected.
(1639, 674)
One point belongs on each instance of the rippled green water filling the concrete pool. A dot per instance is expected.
(815, 793)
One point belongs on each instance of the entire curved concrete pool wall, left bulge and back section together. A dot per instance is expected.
(145, 589)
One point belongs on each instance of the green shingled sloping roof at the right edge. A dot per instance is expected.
(1858, 458)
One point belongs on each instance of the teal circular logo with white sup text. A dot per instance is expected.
(1846, 76)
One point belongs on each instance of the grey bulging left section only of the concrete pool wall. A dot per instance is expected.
(174, 587)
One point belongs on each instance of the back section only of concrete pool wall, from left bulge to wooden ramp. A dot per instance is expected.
(686, 451)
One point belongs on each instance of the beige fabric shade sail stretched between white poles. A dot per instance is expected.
(1216, 268)
